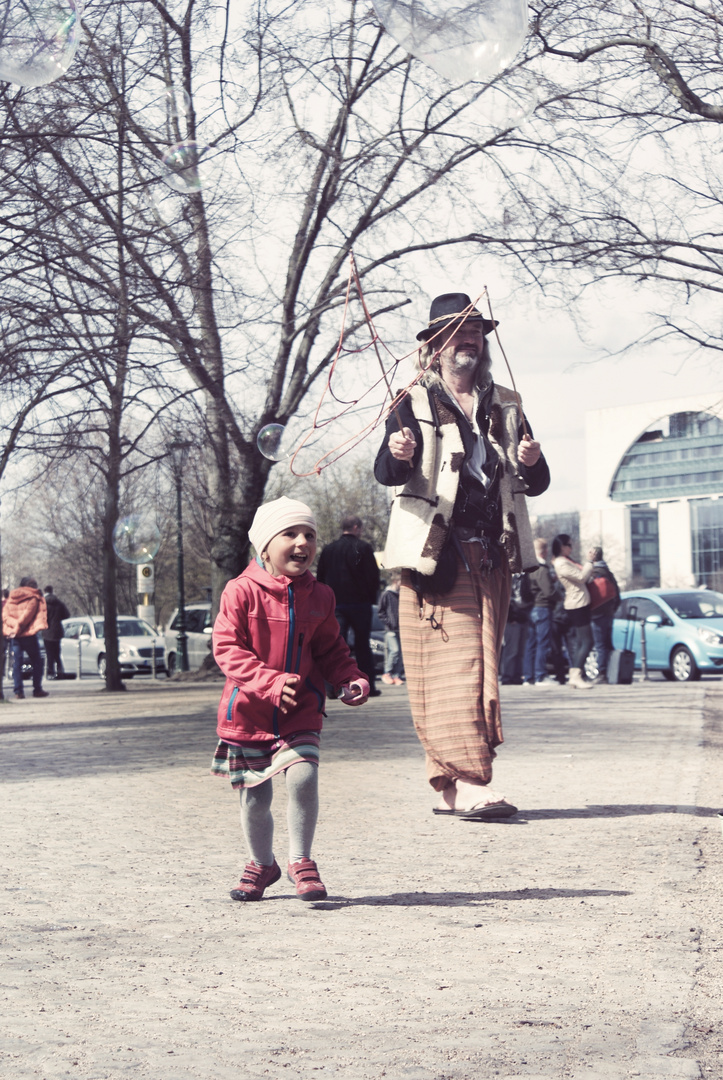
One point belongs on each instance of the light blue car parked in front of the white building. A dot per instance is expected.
(684, 630)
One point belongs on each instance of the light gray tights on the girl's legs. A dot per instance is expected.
(302, 814)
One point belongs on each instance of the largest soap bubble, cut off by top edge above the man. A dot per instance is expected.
(460, 42)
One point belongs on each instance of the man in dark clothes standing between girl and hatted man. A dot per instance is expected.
(349, 566)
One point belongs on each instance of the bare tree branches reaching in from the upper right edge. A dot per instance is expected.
(646, 206)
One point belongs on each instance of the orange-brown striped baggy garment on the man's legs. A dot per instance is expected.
(451, 653)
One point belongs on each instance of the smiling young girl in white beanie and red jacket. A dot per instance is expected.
(277, 640)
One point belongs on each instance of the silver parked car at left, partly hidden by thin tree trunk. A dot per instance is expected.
(137, 642)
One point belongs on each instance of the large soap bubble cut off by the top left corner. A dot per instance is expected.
(38, 39)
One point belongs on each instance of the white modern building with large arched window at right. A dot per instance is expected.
(655, 491)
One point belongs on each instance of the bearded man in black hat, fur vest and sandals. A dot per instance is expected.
(461, 453)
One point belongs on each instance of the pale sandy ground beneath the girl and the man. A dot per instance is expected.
(581, 939)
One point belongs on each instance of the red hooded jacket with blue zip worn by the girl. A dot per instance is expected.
(267, 629)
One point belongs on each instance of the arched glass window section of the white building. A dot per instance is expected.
(680, 456)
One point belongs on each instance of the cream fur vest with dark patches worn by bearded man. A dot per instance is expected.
(422, 511)
